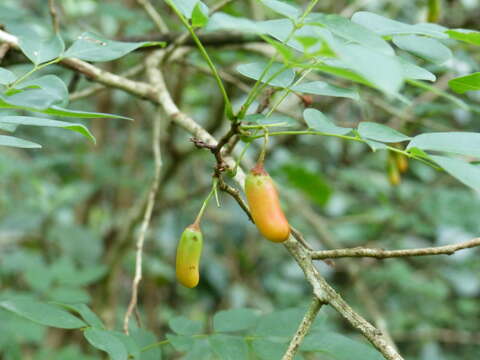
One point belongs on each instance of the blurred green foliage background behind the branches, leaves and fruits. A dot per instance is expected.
(69, 212)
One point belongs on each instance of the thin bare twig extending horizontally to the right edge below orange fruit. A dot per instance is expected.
(383, 254)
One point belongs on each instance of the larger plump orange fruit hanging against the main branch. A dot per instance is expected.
(262, 197)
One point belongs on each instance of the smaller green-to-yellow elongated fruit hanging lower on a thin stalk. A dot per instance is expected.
(189, 251)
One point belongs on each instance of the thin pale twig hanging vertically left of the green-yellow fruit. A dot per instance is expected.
(145, 222)
